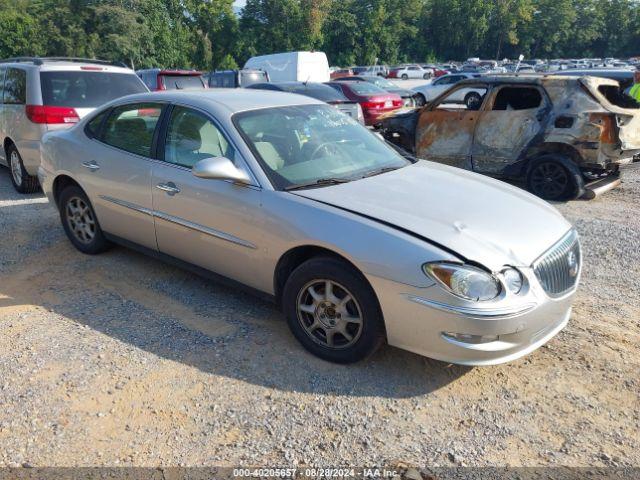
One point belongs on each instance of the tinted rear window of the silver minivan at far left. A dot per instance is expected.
(80, 89)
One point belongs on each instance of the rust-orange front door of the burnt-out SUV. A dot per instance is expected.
(445, 130)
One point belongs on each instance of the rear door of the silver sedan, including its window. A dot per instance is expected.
(116, 171)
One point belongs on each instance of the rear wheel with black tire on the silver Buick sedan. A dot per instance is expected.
(80, 222)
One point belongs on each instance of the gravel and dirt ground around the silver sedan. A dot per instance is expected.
(120, 359)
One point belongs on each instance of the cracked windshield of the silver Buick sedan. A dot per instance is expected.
(304, 144)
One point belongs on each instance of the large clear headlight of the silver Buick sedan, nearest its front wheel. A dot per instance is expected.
(465, 281)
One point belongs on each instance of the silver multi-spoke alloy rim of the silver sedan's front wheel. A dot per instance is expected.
(329, 314)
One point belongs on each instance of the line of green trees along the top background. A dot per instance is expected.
(208, 34)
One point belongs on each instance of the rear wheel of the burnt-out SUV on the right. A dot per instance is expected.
(552, 178)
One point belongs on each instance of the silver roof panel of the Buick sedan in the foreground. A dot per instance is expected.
(231, 100)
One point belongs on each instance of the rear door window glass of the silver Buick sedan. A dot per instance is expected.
(131, 127)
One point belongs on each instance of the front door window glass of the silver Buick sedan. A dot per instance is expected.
(192, 137)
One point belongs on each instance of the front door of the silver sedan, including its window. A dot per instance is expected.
(208, 223)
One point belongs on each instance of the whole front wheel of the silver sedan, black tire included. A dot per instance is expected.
(332, 310)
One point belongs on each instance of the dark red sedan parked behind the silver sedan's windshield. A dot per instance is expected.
(373, 100)
